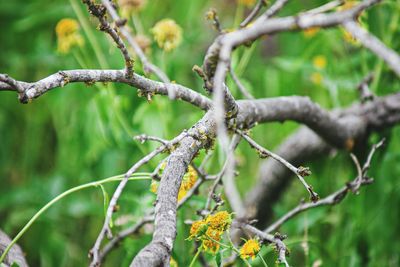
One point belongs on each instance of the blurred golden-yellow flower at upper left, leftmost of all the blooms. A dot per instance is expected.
(67, 35)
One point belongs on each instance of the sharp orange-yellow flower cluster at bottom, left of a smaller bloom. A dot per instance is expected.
(210, 230)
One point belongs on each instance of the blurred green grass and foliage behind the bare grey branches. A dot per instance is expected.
(81, 133)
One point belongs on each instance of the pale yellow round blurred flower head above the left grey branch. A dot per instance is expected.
(167, 34)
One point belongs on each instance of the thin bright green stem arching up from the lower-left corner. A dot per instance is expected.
(136, 176)
